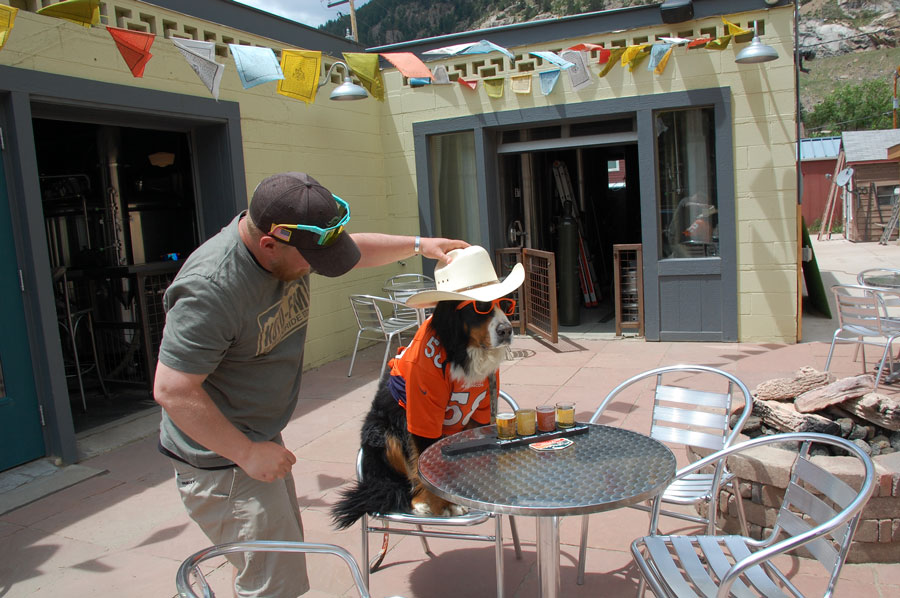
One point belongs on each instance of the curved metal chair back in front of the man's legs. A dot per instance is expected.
(191, 565)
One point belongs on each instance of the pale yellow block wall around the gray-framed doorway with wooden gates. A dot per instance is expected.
(764, 134)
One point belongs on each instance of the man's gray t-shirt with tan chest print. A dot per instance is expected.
(229, 318)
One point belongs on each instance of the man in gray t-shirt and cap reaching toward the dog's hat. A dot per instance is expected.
(231, 360)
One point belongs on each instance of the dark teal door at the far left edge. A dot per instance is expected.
(21, 438)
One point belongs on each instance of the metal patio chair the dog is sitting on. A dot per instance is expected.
(415, 526)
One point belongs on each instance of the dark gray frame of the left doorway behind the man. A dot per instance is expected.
(215, 132)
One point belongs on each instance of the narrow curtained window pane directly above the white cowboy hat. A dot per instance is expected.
(454, 191)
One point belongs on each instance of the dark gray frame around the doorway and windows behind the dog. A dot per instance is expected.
(723, 267)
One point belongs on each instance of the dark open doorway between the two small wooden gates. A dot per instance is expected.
(603, 184)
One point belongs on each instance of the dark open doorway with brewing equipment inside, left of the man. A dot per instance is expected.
(120, 216)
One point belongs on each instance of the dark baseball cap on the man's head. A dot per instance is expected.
(291, 198)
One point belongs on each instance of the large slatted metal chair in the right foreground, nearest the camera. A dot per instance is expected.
(819, 512)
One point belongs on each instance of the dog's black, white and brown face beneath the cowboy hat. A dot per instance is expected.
(475, 343)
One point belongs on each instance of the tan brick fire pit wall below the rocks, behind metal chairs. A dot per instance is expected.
(764, 474)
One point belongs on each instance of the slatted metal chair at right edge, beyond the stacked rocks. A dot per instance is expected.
(863, 314)
